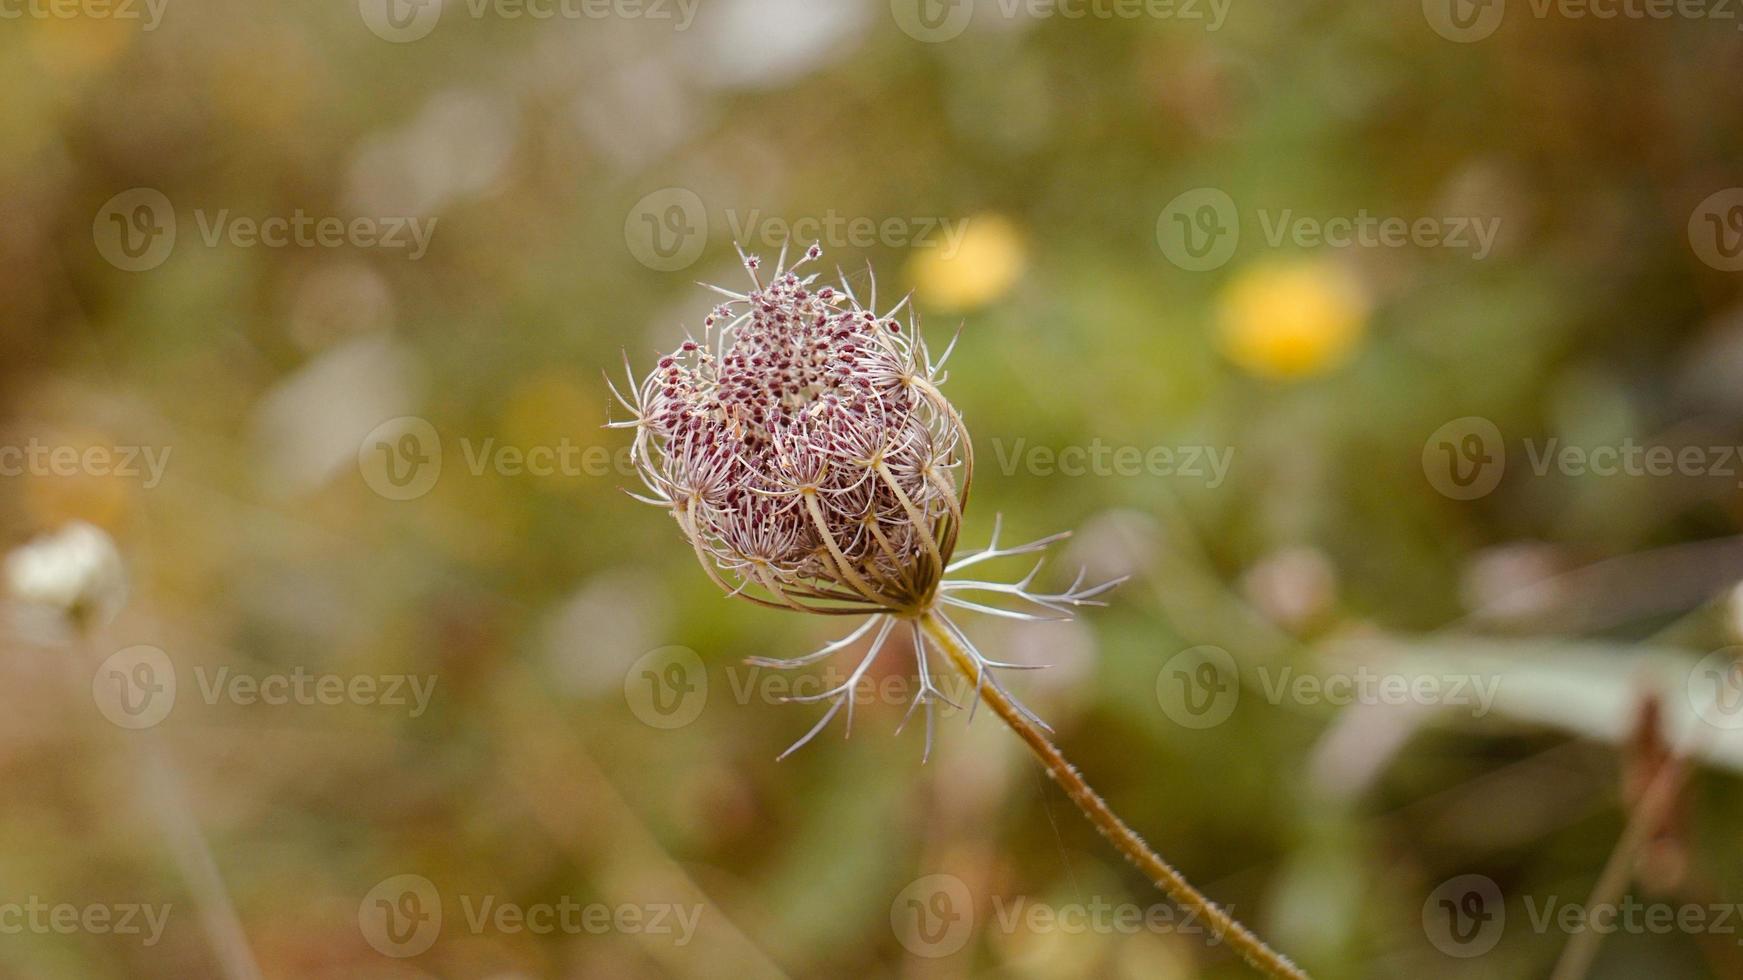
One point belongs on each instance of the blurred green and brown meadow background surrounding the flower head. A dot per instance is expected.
(1048, 184)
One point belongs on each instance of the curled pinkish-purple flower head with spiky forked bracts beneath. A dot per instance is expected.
(813, 463)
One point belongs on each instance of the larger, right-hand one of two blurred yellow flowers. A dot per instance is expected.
(1292, 320)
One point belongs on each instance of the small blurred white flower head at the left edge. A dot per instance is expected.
(76, 573)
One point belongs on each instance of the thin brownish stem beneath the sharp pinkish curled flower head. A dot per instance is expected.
(1134, 848)
